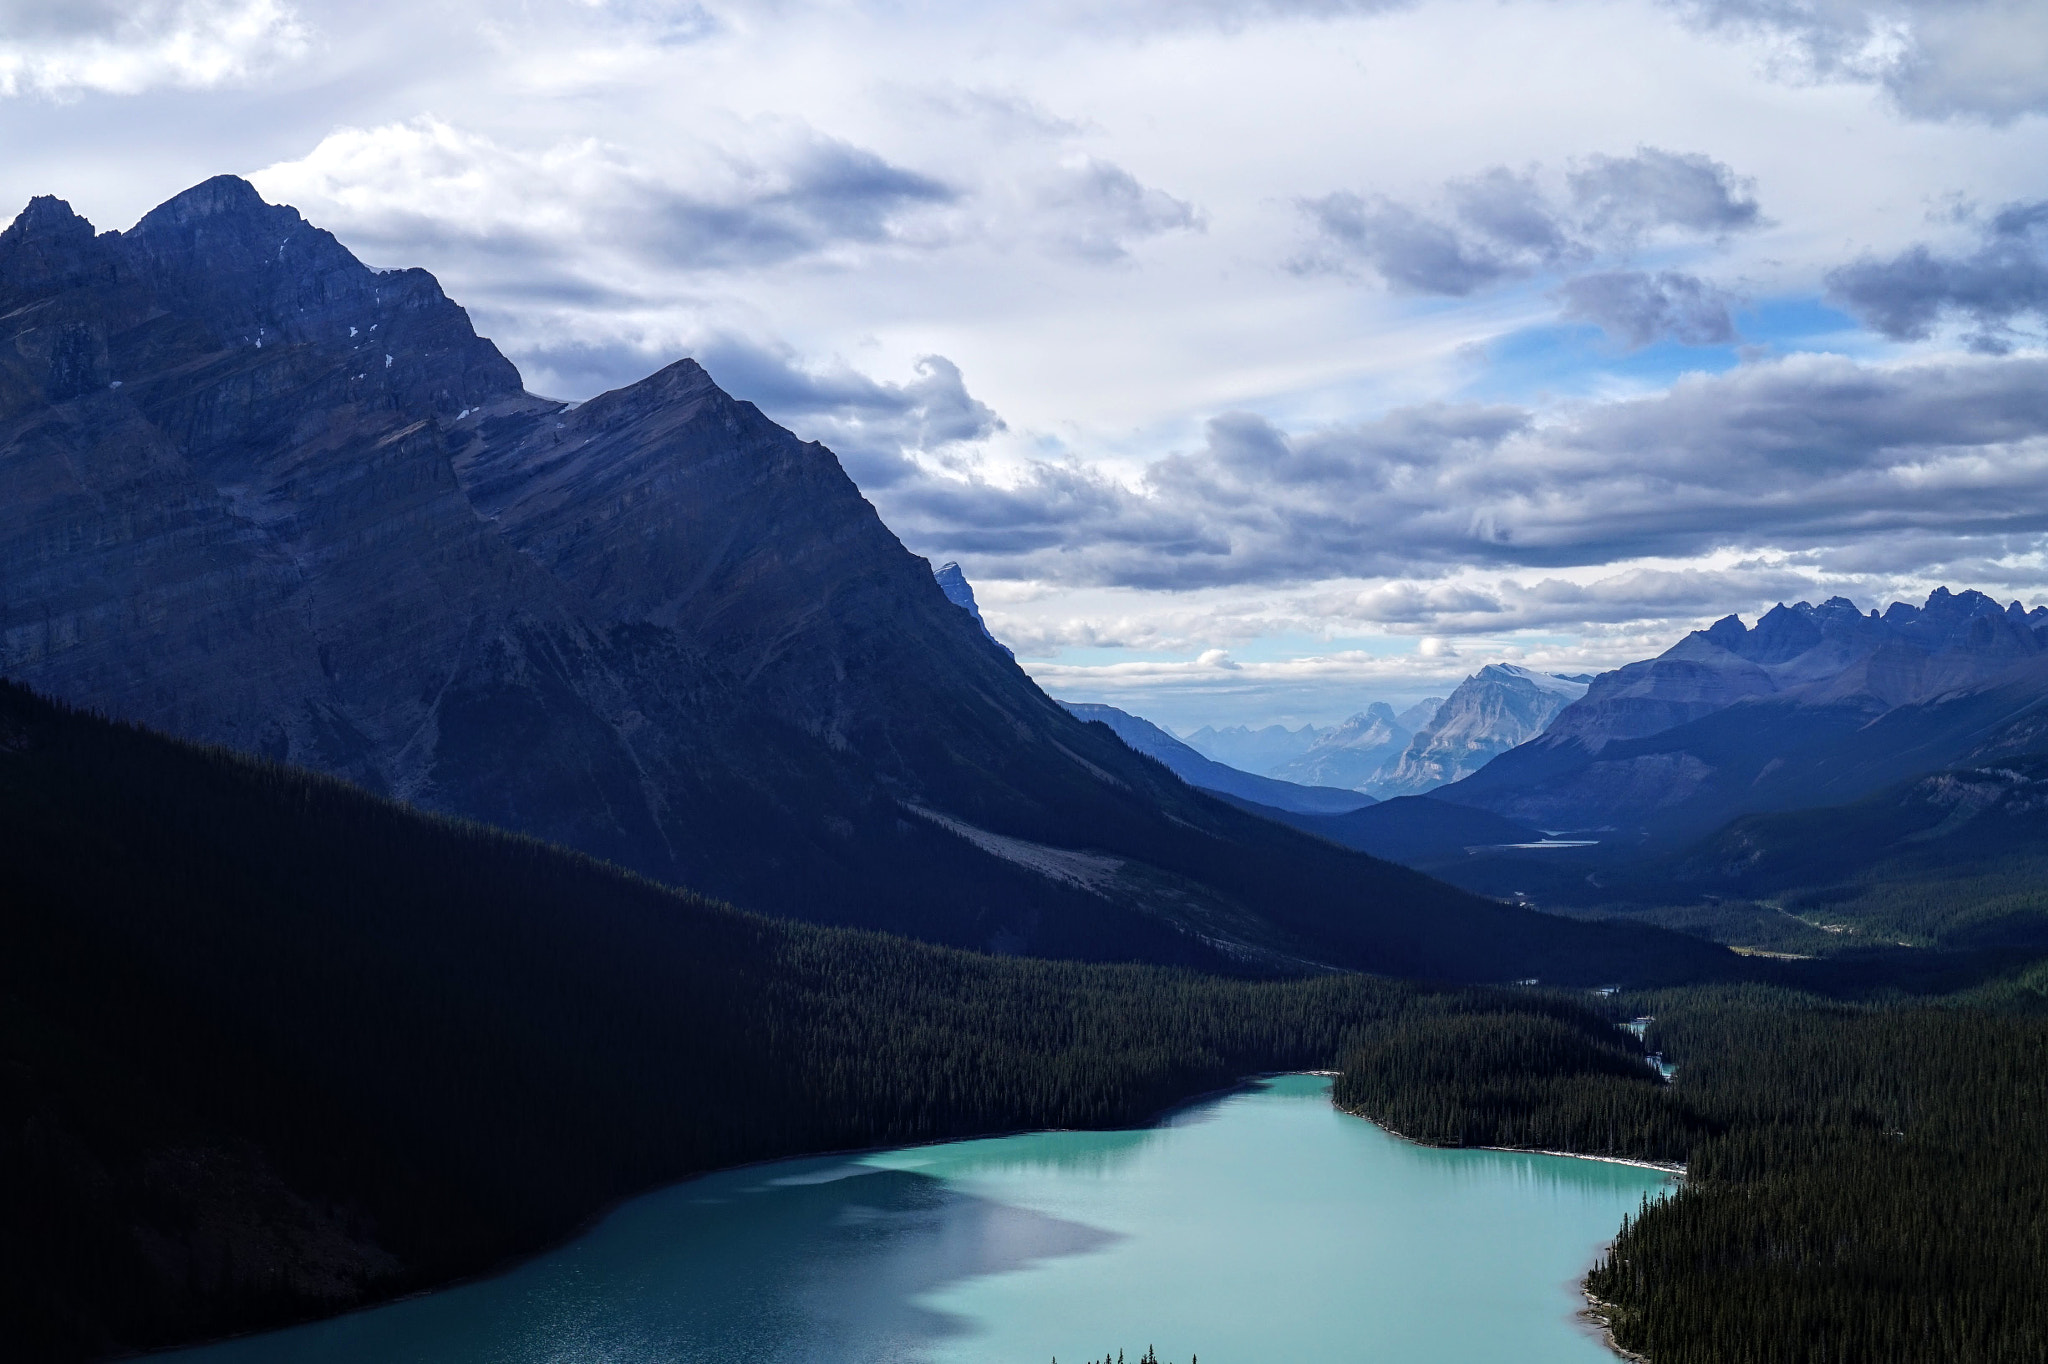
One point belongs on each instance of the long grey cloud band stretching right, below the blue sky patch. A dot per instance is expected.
(1783, 458)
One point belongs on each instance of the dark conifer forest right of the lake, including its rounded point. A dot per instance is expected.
(1865, 1183)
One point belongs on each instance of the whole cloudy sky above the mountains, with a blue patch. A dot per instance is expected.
(1254, 359)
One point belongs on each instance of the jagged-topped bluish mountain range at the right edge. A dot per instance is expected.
(1818, 706)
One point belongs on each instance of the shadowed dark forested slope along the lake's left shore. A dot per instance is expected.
(271, 1048)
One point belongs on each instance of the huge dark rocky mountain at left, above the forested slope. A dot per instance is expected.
(259, 495)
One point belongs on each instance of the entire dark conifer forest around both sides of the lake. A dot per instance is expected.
(275, 1048)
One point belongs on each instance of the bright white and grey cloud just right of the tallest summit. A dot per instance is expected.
(593, 226)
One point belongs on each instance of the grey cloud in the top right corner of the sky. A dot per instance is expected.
(1936, 58)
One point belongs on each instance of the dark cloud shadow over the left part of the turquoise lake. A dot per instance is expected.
(820, 1265)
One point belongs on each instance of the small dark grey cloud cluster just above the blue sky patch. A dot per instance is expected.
(1504, 226)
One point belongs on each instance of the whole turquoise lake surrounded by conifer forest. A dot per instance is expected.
(1263, 1228)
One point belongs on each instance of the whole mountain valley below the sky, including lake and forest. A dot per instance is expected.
(445, 828)
